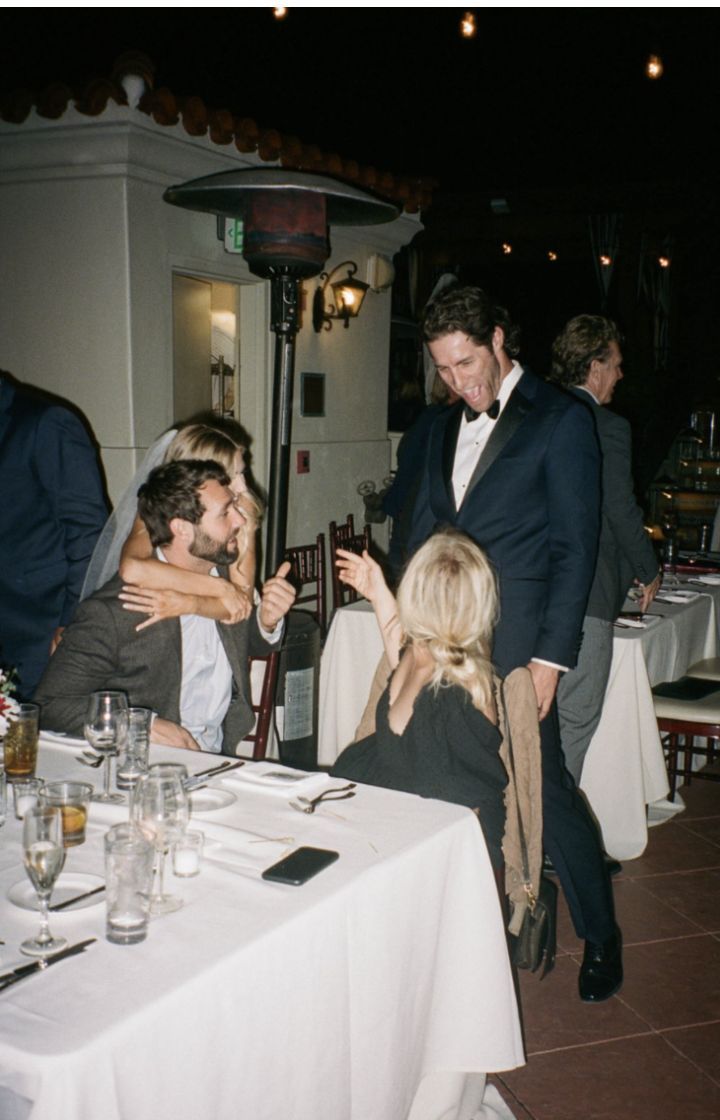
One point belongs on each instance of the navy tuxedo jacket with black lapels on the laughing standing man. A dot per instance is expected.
(534, 506)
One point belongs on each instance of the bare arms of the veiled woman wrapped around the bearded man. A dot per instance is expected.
(162, 591)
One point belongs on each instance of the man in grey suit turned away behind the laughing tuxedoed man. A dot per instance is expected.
(587, 361)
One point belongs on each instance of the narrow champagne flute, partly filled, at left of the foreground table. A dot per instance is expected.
(44, 856)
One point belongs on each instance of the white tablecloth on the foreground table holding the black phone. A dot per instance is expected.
(378, 991)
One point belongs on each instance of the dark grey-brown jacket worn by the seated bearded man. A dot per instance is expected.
(102, 650)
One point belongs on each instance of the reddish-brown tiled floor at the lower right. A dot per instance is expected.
(653, 1051)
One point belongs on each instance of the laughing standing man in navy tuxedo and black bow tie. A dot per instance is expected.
(516, 465)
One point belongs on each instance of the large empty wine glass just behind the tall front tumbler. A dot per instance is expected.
(162, 810)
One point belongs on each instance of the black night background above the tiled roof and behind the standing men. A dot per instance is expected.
(548, 109)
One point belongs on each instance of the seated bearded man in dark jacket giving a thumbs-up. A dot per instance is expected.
(190, 670)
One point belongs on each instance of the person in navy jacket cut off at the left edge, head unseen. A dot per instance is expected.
(53, 511)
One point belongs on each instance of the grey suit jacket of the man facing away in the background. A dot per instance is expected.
(625, 552)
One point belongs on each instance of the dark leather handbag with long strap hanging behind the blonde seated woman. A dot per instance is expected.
(537, 942)
